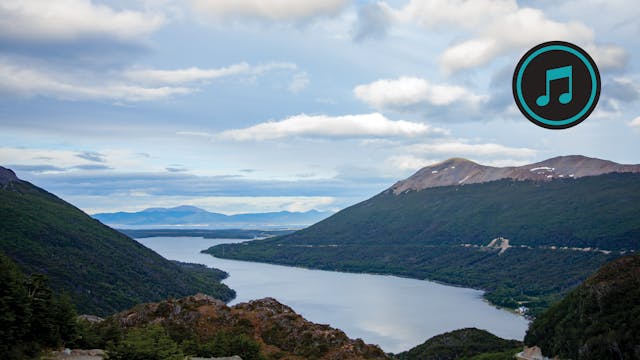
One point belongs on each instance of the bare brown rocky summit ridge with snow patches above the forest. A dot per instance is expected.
(458, 171)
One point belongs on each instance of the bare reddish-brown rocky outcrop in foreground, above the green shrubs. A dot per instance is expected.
(281, 332)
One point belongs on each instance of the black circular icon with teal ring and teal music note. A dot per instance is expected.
(556, 85)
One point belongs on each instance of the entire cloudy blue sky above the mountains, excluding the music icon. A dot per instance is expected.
(242, 106)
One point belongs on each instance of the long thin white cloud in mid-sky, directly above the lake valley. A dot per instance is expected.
(375, 125)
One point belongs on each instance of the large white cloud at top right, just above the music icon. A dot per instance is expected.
(497, 27)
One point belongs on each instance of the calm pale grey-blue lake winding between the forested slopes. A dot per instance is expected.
(395, 313)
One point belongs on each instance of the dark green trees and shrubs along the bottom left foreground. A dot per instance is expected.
(36, 319)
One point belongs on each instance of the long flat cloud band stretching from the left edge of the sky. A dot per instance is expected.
(133, 85)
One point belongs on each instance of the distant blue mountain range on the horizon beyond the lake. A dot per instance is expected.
(191, 215)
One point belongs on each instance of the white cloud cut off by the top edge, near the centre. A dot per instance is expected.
(272, 10)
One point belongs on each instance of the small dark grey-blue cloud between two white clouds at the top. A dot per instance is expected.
(373, 22)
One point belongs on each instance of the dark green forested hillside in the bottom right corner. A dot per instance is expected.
(598, 320)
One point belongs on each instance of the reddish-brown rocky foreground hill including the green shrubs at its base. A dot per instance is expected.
(203, 326)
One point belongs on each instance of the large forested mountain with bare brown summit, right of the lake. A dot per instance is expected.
(525, 241)
